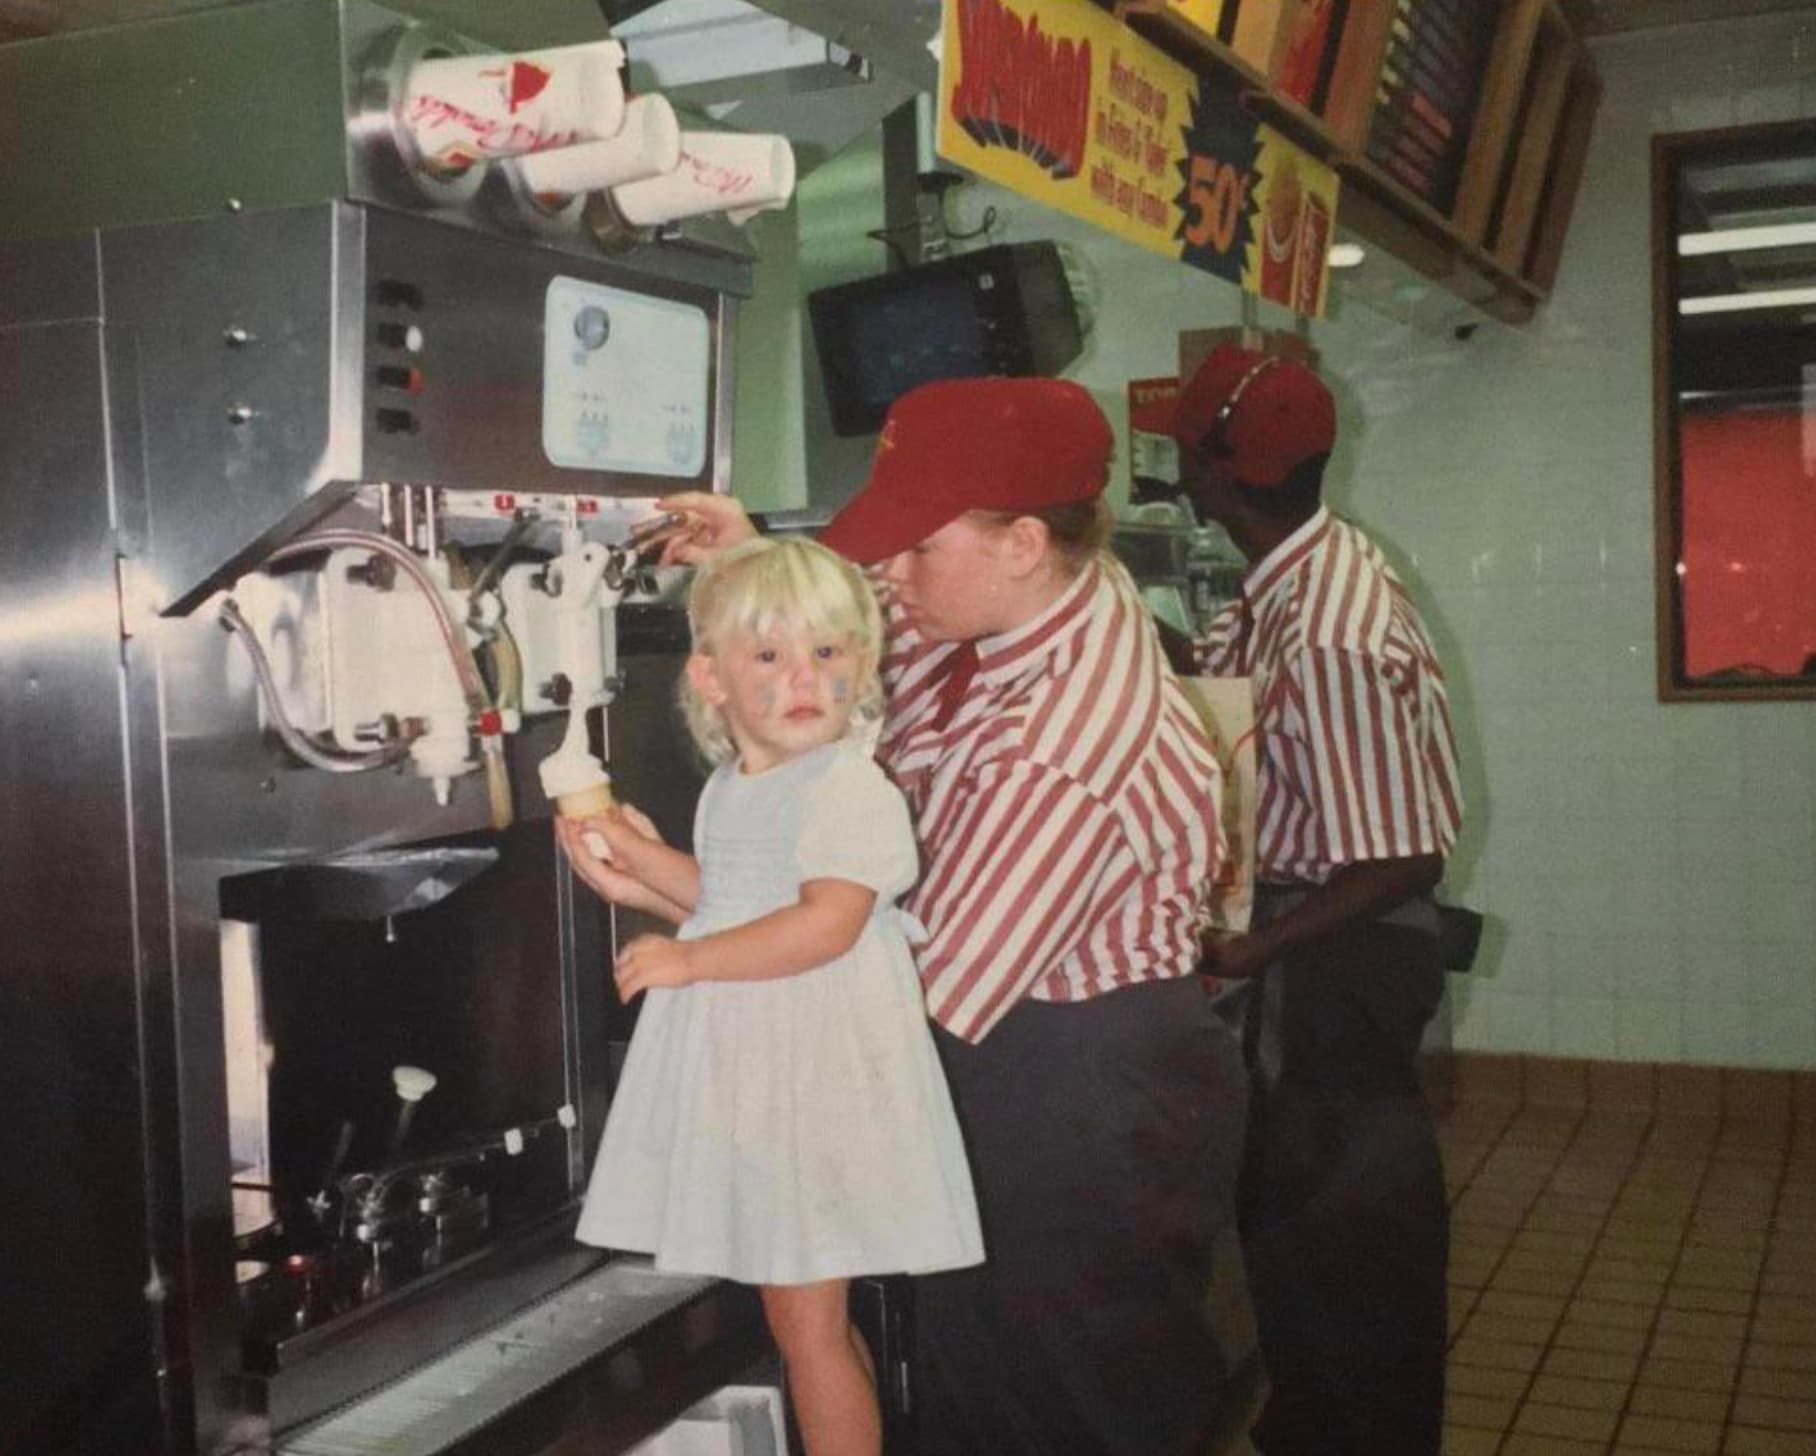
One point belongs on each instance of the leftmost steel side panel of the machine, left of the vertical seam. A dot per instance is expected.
(74, 1072)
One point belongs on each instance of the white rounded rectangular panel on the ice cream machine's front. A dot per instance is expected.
(627, 380)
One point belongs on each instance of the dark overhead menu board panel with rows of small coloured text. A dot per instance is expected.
(1426, 97)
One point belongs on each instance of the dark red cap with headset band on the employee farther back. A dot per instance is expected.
(1279, 415)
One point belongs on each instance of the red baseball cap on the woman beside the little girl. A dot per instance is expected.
(956, 446)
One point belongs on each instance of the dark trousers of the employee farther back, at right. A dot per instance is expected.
(1345, 1219)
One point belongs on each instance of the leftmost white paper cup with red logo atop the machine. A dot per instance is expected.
(469, 110)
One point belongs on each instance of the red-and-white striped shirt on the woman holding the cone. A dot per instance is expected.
(1067, 812)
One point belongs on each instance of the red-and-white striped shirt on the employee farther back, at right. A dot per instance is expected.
(1357, 753)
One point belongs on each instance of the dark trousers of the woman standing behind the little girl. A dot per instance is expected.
(1105, 1141)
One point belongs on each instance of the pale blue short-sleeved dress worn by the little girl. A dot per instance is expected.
(791, 1130)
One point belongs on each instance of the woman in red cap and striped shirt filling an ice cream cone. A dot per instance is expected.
(1065, 809)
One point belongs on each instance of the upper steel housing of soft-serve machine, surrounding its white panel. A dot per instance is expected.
(291, 357)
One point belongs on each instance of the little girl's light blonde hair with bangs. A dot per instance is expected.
(787, 587)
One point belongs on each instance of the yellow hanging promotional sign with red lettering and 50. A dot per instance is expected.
(1061, 103)
